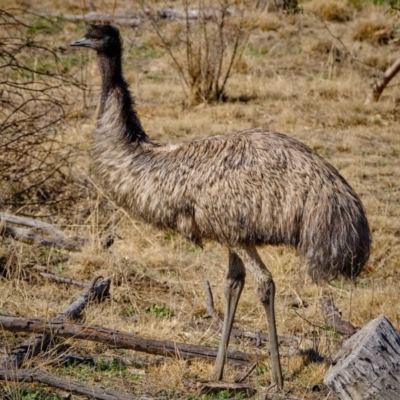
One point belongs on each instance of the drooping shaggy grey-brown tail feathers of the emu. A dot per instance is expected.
(335, 238)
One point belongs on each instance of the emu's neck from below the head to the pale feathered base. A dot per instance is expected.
(117, 107)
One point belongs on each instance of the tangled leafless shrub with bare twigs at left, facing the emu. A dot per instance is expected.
(33, 103)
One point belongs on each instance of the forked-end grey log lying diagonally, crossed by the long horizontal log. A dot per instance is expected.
(41, 341)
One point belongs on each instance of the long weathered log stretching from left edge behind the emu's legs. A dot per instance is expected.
(118, 339)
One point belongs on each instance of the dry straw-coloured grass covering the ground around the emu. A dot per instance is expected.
(307, 75)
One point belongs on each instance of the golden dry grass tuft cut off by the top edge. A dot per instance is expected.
(330, 10)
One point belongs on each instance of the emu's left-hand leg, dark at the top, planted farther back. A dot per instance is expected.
(233, 289)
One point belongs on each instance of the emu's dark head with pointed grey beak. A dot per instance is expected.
(105, 39)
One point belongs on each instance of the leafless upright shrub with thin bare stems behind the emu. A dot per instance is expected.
(204, 43)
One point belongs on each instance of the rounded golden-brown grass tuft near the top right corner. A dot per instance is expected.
(376, 30)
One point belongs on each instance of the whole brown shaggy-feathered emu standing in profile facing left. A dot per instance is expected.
(242, 189)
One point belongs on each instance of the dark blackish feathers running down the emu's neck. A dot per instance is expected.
(115, 86)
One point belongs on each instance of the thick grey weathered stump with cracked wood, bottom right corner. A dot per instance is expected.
(367, 367)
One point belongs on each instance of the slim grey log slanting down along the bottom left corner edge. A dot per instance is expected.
(70, 386)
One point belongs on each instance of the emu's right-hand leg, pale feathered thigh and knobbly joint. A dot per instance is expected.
(266, 292)
